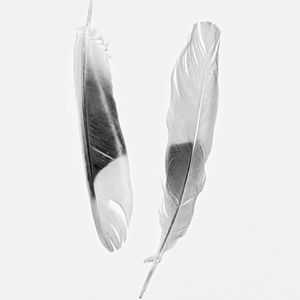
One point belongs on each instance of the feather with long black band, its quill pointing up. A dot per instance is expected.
(104, 148)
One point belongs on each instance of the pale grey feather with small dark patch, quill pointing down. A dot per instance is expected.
(190, 120)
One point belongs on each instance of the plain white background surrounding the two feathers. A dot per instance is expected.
(243, 242)
